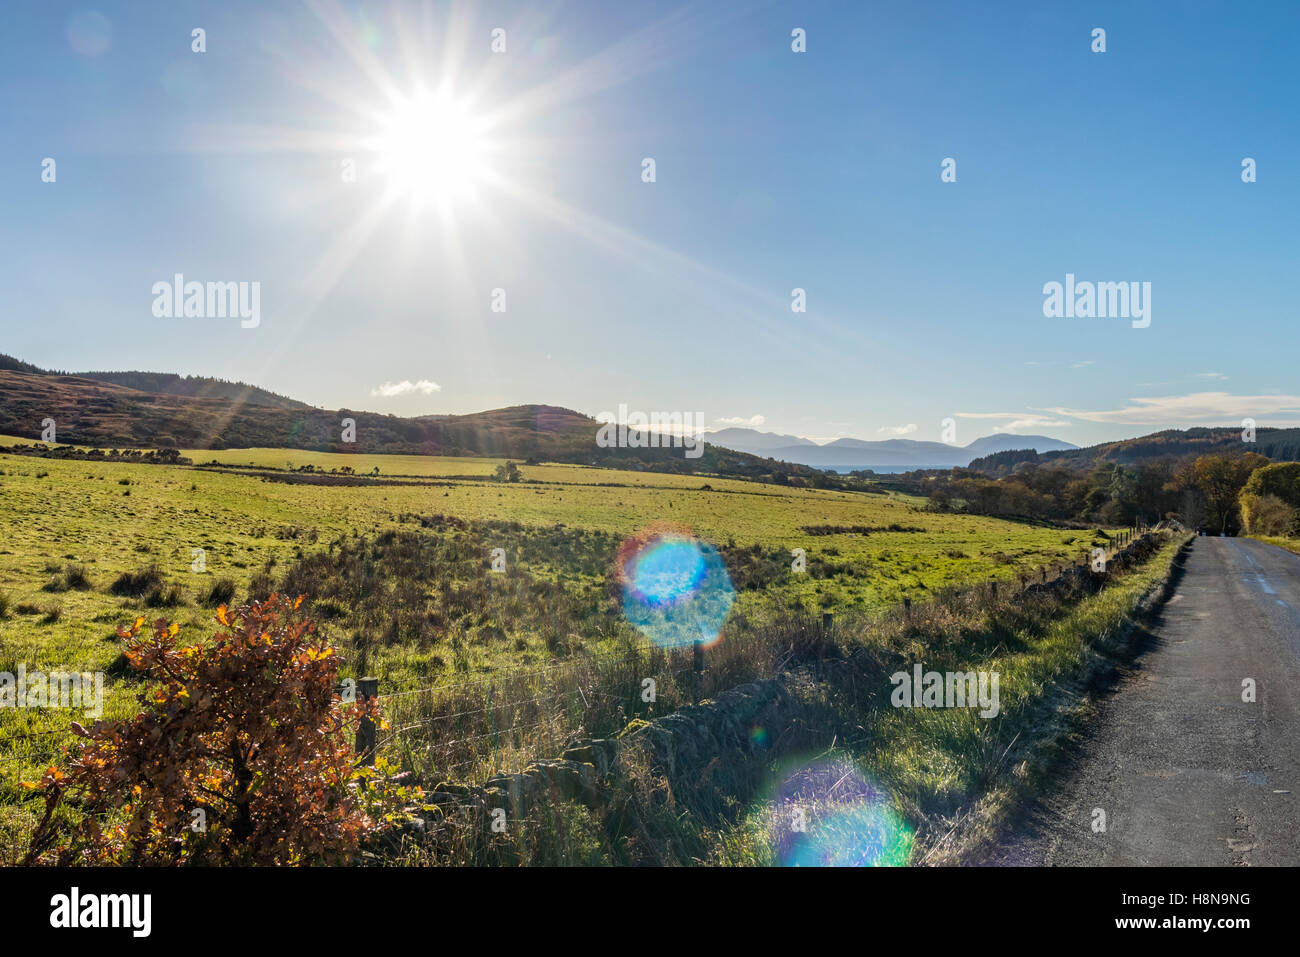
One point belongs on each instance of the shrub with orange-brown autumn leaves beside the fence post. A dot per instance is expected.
(241, 755)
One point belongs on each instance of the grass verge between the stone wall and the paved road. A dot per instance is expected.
(937, 786)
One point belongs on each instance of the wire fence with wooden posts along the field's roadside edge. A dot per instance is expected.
(492, 724)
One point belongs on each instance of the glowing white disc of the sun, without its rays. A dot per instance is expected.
(434, 150)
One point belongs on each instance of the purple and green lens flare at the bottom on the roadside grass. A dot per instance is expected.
(830, 815)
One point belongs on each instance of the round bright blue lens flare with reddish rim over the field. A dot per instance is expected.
(675, 588)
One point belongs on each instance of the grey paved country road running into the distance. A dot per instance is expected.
(1186, 772)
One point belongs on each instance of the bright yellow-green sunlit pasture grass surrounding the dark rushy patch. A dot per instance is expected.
(116, 518)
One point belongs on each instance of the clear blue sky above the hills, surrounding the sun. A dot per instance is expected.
(774, 171)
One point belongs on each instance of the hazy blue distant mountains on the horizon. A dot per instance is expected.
(891, 453)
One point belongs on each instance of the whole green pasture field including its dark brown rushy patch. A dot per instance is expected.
(89, 545)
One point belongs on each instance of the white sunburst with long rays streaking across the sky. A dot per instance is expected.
(435, 148)
